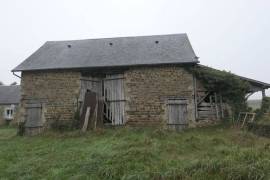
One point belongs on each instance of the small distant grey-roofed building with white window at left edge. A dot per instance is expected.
(9, 101)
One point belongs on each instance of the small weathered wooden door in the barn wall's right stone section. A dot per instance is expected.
(177, 114)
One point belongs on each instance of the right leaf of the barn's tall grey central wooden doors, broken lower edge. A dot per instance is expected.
(113, 92)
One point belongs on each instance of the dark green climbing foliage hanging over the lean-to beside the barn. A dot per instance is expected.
(232, 88)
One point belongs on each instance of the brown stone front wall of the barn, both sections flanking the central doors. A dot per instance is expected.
(146, 91)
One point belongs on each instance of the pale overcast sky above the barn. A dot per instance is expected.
(226, 34)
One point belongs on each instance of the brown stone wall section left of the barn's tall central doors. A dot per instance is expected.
(56, 91)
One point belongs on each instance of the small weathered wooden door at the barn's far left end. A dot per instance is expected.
(33, 115)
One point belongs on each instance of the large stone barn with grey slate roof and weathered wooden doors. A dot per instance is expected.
(136, 81)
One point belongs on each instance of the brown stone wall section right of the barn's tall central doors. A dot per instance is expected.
(148, 88)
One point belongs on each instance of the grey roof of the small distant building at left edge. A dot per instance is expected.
(10, 94)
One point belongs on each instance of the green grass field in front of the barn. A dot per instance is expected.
(125, 153)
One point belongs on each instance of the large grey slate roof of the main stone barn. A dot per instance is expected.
(111, 52)
